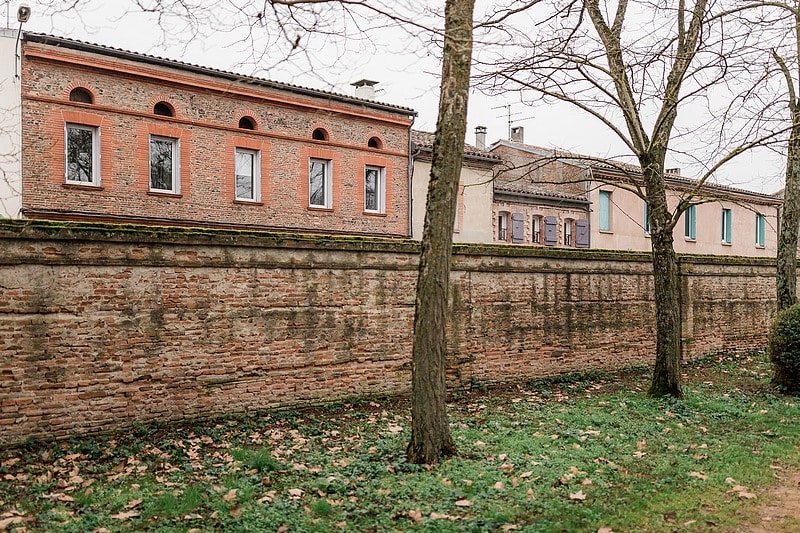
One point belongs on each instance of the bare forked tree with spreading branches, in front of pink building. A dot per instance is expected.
(632, 65)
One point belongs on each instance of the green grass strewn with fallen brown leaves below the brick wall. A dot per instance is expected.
(573, 454)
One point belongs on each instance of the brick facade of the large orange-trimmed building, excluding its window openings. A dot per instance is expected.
(206, 118)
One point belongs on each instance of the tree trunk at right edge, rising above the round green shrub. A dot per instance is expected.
(786, 280)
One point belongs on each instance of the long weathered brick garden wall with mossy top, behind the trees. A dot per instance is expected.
(102, 326)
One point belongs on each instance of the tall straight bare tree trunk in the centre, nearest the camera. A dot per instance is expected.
(430, 432)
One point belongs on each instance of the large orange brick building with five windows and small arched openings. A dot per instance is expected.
(112, 135)
